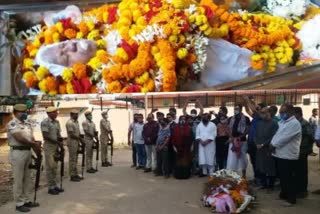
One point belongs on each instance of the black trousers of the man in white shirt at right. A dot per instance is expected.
(288, 179)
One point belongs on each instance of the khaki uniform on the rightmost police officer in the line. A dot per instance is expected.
(105, 128)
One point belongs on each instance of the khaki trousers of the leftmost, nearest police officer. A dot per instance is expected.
(20, 162)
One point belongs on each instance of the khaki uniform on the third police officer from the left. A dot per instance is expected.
(73, 129)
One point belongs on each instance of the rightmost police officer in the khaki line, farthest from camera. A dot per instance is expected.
(105, 138)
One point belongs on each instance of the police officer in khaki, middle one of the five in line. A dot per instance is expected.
(73, 132)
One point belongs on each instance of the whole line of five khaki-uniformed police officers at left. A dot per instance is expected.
(21, 141)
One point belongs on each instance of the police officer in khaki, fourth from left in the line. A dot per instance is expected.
(89, 129)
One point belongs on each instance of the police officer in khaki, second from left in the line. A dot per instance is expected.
(51, 132)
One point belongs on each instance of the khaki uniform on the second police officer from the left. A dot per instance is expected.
(52, 128)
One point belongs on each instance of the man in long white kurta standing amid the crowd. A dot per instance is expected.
(205, 135)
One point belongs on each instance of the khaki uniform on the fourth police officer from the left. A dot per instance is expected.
(89, 129)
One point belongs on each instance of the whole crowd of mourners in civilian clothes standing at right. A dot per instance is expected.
(278, 145)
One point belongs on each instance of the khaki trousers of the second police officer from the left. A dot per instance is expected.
(51, 164)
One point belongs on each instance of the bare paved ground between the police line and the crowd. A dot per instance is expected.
(122, 190)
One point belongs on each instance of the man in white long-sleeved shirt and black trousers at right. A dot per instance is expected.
(286, 148)
